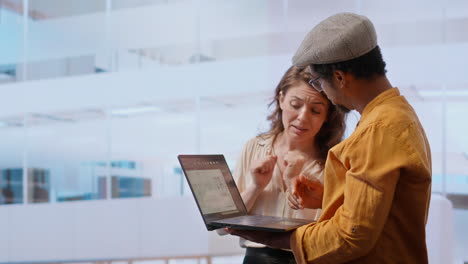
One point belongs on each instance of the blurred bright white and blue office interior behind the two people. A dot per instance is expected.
(98, 97)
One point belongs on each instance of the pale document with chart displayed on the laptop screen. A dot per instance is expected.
(211, 191)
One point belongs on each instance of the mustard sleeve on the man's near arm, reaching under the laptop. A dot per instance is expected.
(373, 161)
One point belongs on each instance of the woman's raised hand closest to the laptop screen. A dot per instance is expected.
(262, 171)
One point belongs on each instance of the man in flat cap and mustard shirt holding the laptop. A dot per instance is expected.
(377, 182)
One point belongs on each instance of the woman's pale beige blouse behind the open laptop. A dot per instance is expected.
(273, 201)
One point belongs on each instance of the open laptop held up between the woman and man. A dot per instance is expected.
(219, 200)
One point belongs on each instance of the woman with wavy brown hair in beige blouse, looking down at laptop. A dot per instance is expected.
(304, 126)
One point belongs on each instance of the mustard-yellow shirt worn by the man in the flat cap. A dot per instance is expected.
(377, 191)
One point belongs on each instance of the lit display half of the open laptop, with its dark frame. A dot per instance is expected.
(212, 185)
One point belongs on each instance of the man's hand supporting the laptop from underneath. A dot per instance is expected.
(271, 239)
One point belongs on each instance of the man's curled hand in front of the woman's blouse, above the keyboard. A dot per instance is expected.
(305, 193)
